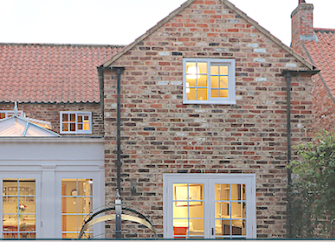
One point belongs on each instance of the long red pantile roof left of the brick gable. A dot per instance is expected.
(51, 73)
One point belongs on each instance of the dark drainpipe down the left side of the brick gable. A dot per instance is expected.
(119, 71)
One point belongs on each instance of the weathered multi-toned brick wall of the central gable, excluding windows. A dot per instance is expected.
(161, 135)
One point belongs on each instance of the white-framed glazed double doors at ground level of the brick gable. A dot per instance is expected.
(209, 206)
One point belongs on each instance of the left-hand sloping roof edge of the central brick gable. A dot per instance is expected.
(149, 32)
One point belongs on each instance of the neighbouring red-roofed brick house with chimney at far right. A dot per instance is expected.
(316, 45)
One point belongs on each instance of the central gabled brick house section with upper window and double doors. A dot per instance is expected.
(204, 124)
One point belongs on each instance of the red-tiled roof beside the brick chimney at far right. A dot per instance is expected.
(321, 52)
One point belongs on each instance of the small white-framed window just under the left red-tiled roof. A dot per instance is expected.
(75, 122)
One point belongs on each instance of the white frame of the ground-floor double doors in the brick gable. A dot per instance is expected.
(209, 180)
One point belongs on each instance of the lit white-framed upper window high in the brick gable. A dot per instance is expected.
(209, 81)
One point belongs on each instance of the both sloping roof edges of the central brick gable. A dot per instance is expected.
(230, 5)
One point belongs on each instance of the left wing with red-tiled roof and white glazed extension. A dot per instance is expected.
(47, 181)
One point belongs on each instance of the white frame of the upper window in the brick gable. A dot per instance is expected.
(231, 82)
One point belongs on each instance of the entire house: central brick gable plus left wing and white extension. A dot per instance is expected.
(203, 142)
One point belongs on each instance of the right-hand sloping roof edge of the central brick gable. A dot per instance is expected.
(269, 35)
